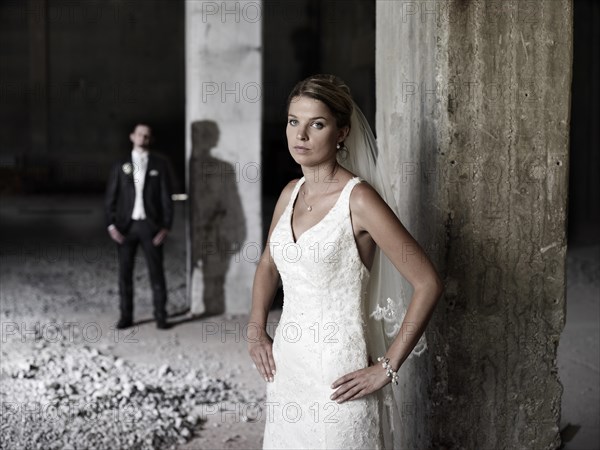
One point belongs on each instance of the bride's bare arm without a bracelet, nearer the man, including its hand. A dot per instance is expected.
(266, 280)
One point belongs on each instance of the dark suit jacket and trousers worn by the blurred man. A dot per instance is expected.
(158, 206)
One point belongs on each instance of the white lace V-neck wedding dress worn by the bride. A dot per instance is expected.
(320, 337)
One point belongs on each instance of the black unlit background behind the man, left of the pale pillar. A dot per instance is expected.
(75, 77)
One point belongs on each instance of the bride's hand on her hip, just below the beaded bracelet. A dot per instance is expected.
(357, 384)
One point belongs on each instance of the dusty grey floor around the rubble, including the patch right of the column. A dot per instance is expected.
(58, 274)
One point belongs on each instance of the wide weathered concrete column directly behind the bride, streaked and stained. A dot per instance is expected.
(473, 118)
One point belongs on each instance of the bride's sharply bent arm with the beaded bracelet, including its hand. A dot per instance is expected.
(370, 214)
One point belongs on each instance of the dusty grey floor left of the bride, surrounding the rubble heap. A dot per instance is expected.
(58, 276)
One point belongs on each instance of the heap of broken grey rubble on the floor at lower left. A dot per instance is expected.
(80, 397)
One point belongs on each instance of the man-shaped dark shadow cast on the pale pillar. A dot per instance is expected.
(218, 224)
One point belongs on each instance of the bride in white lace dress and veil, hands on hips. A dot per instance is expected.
(344, 259)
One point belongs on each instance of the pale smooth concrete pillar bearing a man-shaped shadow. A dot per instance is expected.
(223, 94)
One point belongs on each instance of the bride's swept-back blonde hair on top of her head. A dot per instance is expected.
(332, 91)
